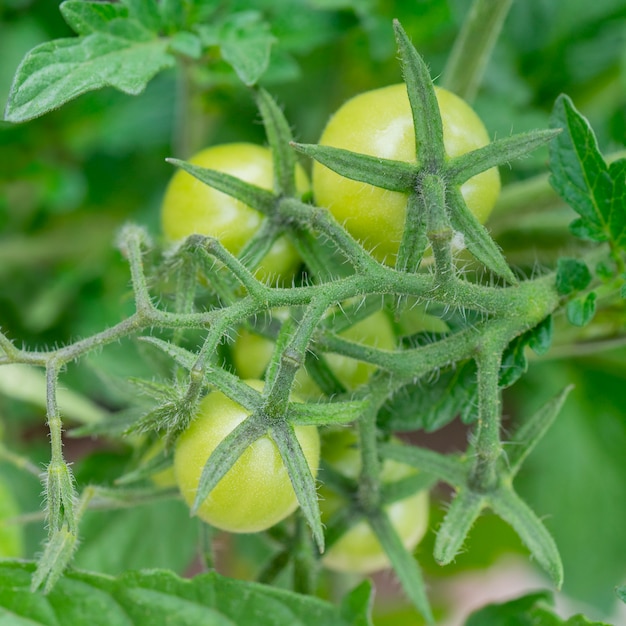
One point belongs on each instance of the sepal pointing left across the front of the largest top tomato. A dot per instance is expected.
(384, 173)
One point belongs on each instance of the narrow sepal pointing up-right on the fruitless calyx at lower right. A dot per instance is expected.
(522, 441)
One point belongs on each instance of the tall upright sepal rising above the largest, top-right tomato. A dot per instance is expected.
(427, 122)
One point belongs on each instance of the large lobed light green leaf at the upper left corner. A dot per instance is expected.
(58, 71)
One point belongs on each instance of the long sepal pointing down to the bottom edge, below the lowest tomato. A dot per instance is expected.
(404, 565)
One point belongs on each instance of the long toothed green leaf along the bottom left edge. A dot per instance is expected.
(158, 598)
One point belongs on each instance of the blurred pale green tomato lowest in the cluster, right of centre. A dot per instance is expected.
(358, 550)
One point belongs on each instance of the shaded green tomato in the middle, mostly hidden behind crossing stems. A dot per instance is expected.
(252, 353)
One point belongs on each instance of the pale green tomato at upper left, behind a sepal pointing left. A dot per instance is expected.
(190, 206)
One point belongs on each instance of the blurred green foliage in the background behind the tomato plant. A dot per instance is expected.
(70, 179)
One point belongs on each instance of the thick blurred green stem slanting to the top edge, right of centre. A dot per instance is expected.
(472, 49)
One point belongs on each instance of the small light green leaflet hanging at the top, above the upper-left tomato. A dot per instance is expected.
(245, 43)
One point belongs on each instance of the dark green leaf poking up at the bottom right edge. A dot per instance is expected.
(535, 608)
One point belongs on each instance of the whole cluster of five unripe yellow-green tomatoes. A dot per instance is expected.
(256, 492)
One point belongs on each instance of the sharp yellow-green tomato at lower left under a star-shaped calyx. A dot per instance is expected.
(256, 492)
